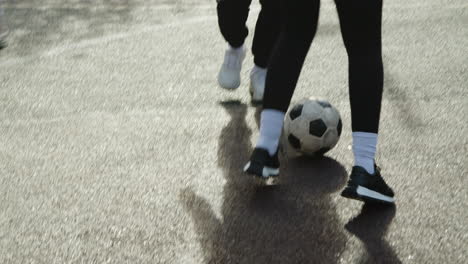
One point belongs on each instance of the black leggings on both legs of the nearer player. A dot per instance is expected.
(360, 22)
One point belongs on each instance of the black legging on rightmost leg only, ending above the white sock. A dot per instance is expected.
(361, 30)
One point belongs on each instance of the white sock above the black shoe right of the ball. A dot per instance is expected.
(364, 148)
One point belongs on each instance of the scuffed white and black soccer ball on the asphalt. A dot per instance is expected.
(311, 127)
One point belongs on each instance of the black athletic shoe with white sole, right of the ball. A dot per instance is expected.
(368, 188)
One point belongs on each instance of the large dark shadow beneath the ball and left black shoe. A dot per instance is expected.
(295, 222)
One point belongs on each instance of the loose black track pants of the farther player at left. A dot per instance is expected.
(232, 16)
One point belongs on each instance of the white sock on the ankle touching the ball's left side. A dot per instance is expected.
(271, 125)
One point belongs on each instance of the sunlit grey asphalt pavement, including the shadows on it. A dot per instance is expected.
(117, 146)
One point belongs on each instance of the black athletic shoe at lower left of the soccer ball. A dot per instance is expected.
(262, 165)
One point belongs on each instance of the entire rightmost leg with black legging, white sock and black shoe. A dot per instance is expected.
(361, 23)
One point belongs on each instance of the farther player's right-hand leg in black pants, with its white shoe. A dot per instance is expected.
(267, 30)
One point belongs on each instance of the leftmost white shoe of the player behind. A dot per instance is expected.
(229, 75)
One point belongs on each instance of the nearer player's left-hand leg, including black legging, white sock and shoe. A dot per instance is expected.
(300, 24)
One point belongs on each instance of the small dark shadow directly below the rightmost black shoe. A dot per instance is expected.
(370, 226)
